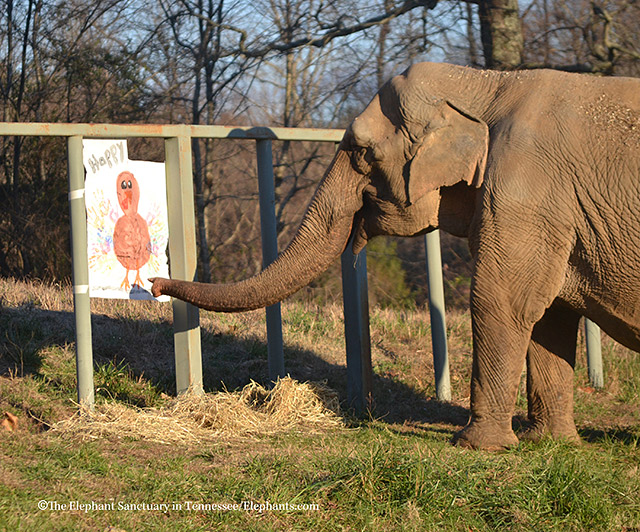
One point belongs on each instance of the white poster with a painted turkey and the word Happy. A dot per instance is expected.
(127, 227)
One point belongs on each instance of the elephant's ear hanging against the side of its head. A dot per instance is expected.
(453, 149)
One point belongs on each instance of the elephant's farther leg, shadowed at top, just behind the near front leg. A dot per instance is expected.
(550, 363)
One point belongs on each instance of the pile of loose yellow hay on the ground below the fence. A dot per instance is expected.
(194, 418)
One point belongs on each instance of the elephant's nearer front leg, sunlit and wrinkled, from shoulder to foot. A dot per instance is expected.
(519, 270)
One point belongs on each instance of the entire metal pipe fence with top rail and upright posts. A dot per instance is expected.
(182, 248)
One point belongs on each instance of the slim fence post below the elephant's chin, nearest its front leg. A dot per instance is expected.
(436, 309)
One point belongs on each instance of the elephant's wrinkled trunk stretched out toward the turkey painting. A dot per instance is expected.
(320, 239)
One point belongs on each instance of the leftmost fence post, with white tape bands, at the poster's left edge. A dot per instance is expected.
(80, 265)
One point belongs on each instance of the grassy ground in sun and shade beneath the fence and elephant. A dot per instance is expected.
(392, 470)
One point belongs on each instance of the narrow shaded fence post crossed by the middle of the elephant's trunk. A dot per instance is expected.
(269, 233)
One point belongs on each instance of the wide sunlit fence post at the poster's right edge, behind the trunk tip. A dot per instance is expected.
(182, 252)
